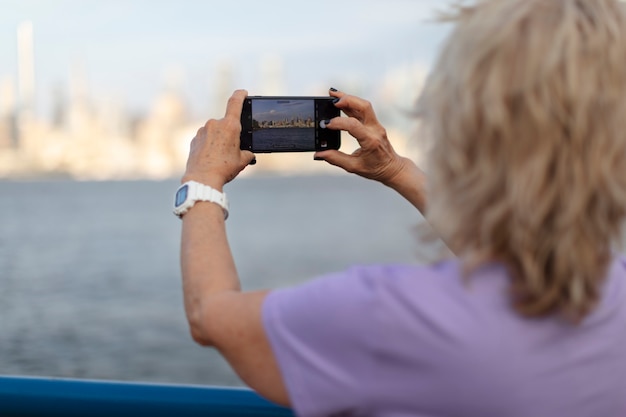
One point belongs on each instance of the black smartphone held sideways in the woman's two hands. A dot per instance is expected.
(288, 124)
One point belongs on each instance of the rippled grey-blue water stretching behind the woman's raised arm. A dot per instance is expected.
(89, 274)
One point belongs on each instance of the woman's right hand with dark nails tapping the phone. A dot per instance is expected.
(375, 159)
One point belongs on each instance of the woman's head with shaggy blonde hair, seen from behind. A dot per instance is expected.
(526, 107)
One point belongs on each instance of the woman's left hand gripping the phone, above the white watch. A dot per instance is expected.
(215, 158)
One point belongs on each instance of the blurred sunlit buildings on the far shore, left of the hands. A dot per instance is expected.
(85, 139)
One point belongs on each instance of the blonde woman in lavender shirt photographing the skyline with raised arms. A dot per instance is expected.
(527, 184)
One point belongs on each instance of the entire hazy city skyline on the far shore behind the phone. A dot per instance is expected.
(87, 134)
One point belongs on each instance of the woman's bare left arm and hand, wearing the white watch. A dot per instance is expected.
(219, 314)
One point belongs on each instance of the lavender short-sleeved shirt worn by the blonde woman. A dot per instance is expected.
(420, 341)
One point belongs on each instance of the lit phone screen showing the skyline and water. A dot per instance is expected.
(283, 125)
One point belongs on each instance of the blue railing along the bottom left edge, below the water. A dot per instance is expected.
(51, 397)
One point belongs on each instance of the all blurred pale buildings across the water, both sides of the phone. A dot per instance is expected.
(95, 139)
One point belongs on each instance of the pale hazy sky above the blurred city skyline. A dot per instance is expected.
(133, 50)
